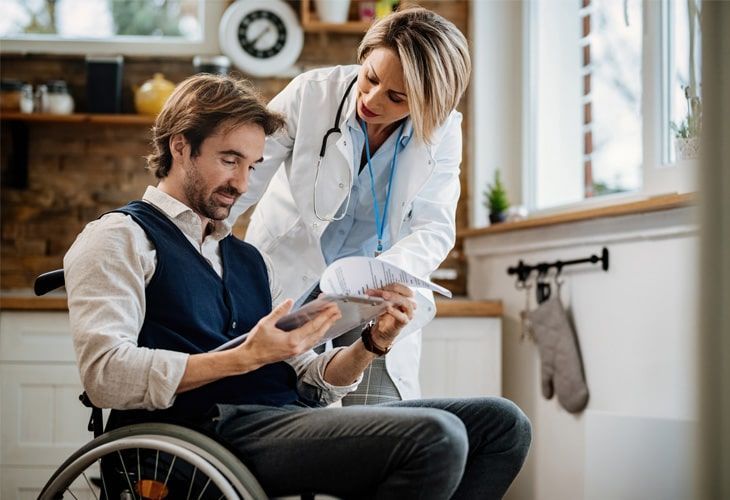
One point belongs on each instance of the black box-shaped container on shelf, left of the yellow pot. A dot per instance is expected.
(104, 84)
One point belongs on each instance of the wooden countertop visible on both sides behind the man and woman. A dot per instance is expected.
(446, 308)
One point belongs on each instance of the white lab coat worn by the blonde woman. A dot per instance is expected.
(421, 213)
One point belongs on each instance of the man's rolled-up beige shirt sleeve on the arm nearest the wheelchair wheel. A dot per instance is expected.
(106, 271)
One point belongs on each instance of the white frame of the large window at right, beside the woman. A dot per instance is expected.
(659, 176)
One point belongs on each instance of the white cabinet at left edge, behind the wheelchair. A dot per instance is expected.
(41, 419)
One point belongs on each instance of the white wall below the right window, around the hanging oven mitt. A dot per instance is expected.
(637, 328)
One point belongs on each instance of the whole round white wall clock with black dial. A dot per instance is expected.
(261, 37)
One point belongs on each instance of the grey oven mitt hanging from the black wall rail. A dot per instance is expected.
(562, 367)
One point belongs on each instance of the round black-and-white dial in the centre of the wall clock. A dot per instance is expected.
(262, 34)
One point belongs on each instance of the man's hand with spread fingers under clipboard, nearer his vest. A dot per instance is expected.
(267, 344)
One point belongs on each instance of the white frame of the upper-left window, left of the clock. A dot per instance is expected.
(126, 45)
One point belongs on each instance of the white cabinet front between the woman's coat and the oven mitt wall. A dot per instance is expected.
(462, 357)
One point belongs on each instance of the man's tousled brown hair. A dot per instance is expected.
(204, 105)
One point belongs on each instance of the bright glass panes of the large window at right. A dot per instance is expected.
(605, 78)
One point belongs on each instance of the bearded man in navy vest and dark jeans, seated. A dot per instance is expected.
(155, 285)
